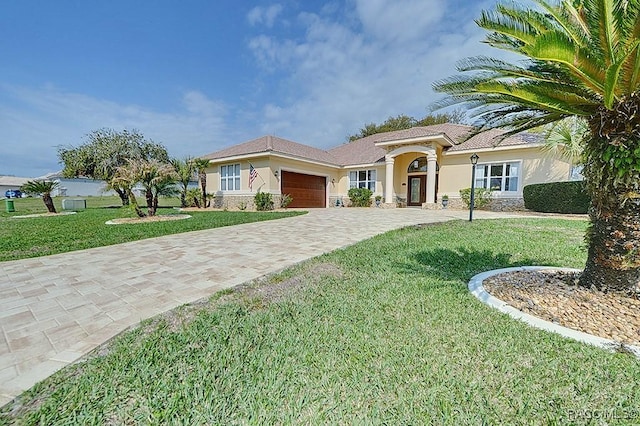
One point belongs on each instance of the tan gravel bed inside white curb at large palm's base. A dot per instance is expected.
(555, 296)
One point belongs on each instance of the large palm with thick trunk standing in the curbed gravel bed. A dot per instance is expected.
(581, 58)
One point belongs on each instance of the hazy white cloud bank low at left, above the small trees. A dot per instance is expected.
(39, 120)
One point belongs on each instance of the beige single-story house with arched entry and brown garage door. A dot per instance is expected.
(413, 167)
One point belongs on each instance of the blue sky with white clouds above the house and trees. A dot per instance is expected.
(200, 75)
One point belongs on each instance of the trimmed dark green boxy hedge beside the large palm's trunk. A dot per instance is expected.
(557, 197)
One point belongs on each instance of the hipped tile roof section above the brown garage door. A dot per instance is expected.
(274, 144)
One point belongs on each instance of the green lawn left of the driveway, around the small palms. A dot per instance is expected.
(39, 236)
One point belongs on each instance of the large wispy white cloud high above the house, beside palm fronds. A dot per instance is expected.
(341, 74)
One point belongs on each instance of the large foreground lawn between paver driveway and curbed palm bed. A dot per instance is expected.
(383, 332)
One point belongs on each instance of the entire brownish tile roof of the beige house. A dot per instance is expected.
(365, 151)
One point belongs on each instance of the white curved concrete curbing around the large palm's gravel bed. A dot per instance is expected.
(477, 289)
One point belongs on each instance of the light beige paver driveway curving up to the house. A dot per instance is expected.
(55, 309)
